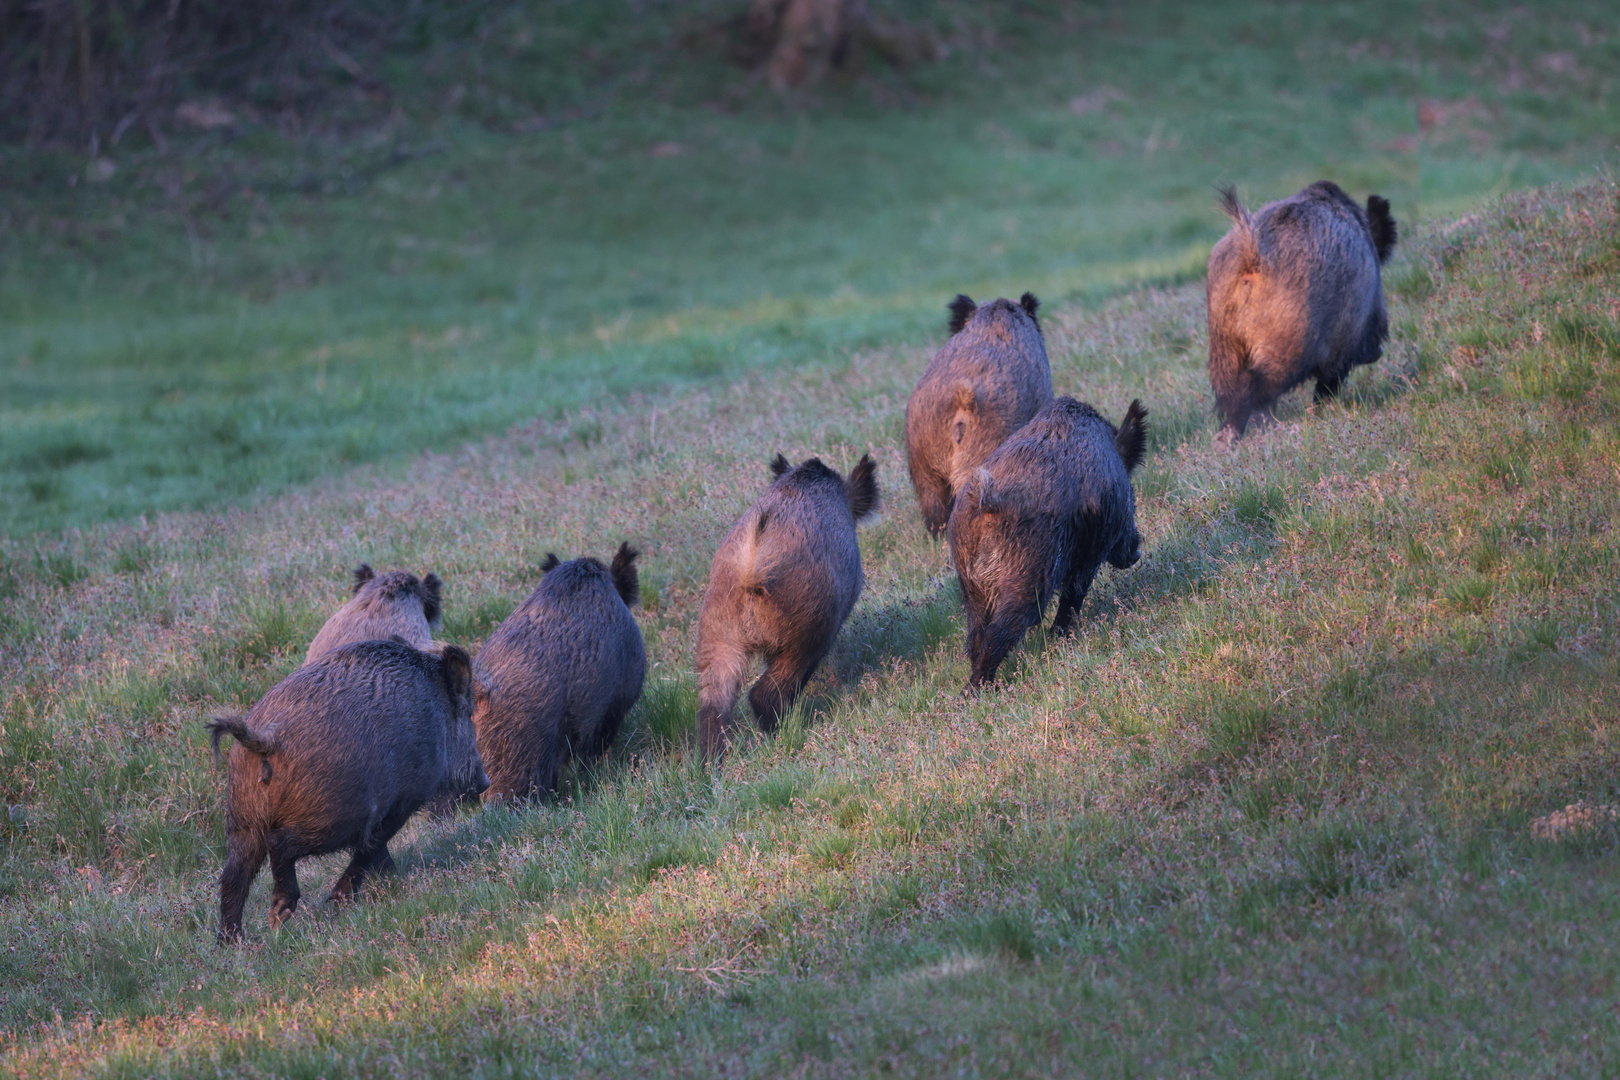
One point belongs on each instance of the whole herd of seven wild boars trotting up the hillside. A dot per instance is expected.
(1031, 491)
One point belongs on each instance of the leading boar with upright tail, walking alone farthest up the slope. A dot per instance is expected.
(1295, 294)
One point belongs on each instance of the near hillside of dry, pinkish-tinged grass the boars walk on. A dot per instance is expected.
(1264, 815)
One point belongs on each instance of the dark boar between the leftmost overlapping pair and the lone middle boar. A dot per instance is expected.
(558, 678)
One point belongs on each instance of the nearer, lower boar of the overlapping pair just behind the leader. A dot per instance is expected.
(1042, 516)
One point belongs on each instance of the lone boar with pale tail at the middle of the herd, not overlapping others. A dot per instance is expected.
(782, 585)
